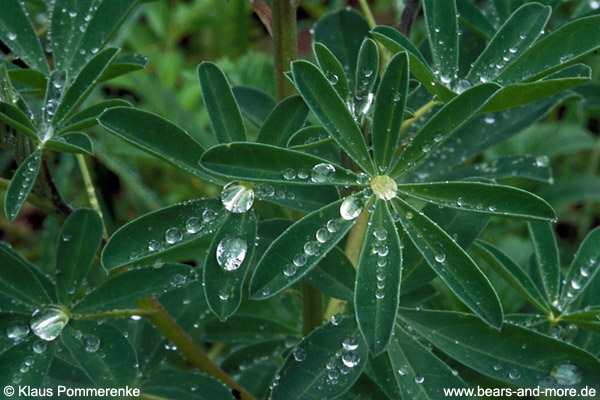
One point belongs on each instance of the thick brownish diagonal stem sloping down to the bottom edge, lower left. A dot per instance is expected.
(173, 332)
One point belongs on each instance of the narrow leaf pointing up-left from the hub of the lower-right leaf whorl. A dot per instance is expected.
(511, 273)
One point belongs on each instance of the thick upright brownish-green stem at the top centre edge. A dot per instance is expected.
(283, 21)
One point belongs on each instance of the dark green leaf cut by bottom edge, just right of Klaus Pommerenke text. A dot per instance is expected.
(179, 385)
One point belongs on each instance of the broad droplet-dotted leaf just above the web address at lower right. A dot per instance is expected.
(514, 355)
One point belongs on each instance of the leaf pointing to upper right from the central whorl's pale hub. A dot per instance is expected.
(445, 123)
